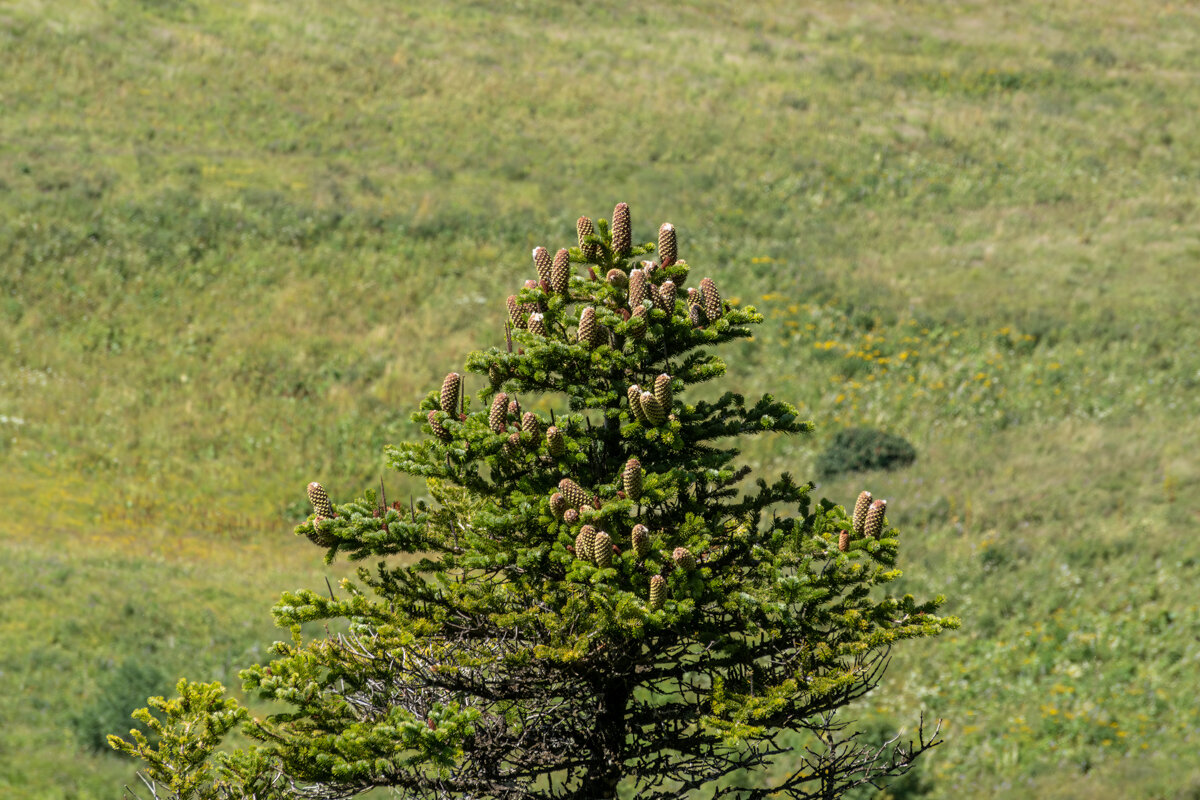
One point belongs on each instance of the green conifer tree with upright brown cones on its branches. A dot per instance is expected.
(595, 604)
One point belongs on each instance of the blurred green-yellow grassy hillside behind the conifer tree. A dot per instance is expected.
(238, 242)
